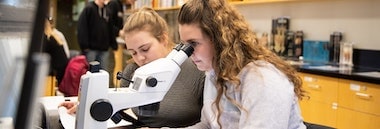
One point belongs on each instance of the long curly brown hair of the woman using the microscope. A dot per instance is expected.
(235, 45)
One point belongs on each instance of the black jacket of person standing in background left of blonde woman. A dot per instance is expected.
(94, 29)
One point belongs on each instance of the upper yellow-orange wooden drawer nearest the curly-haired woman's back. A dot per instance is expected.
(320, 88)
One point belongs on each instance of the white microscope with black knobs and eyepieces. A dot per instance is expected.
(149, 84)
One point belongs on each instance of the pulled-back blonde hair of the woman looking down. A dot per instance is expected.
(146, 19)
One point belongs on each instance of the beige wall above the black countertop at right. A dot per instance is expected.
(359, 20)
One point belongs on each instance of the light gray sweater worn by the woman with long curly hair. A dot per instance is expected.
(265, 93)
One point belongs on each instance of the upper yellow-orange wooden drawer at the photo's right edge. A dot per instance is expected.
(359, 96)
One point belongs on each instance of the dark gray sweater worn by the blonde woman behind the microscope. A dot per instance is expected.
(182, 104)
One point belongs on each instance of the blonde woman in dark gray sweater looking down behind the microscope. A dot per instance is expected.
(146, 38)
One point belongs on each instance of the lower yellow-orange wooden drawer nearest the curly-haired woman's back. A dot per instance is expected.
(319, 112)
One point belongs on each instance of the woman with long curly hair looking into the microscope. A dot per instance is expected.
(247, 86)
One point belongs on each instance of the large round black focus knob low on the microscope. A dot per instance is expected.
(101, 110)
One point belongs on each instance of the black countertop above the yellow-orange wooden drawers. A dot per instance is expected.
(356, 73)
